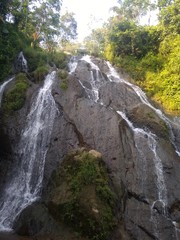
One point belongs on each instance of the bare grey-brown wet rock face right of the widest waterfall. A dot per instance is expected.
(131, 154)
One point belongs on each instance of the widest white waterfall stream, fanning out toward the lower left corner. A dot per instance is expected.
(26, 183)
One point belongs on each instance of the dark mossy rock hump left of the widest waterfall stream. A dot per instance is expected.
(16, 96)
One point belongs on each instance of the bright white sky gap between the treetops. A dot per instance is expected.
(89, 14)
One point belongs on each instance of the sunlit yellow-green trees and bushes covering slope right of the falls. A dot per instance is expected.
(150, 54)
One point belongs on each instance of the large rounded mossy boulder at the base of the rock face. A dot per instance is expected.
(81, 197)
